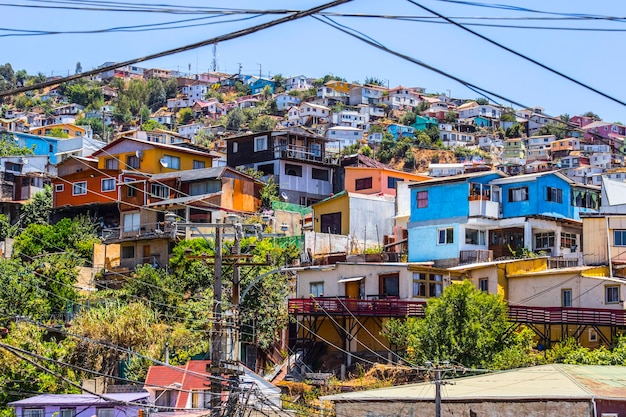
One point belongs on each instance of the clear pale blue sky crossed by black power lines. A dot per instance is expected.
(311, 48)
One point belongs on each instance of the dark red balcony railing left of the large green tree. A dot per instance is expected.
(391, 307)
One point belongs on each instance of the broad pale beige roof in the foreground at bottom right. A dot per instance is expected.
(555, 381)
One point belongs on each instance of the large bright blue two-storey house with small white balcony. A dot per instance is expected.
(504, 215)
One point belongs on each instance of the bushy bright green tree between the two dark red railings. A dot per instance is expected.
(464, 325)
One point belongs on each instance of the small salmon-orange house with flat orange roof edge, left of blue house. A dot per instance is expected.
(368, 180)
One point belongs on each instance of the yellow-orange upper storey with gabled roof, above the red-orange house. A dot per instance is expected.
(151, 157)
